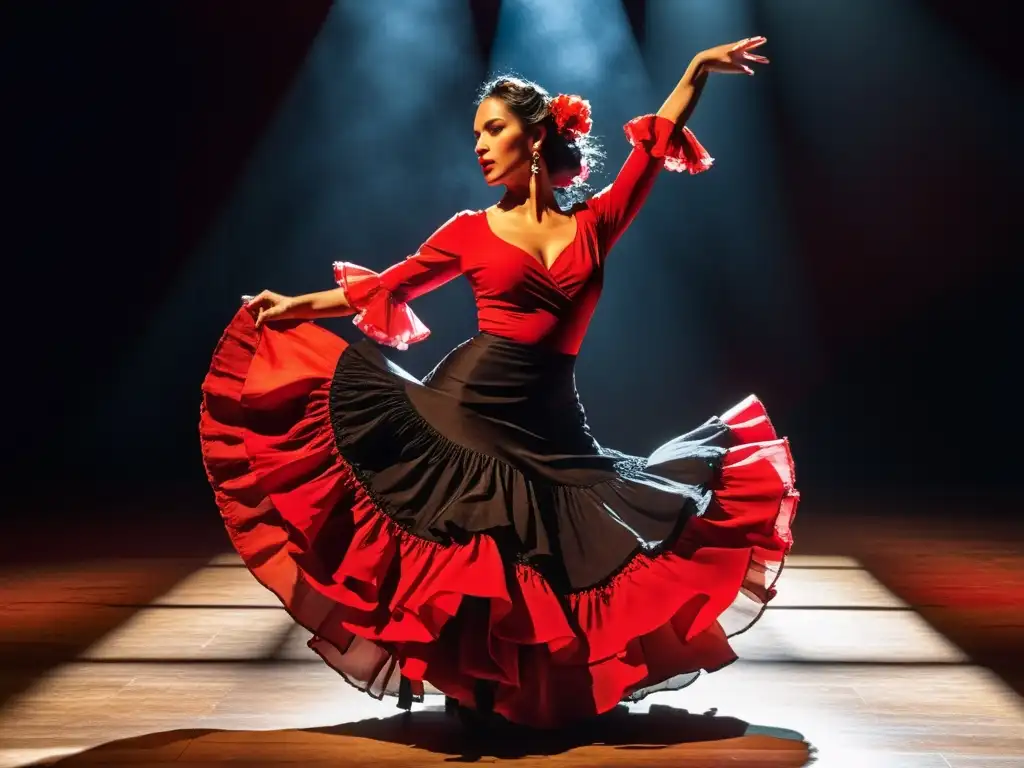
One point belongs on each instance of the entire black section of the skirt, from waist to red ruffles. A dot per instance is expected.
(496, 443)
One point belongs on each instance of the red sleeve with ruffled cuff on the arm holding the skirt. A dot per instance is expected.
(381, 301)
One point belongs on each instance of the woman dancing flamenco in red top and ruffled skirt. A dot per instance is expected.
(467, 534)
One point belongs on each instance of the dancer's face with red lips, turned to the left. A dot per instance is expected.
(503, 147)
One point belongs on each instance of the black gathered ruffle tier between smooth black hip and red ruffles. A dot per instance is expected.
(402, 461)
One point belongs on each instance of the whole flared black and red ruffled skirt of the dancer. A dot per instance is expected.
(467, 534)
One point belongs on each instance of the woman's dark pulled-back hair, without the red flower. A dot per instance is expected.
(564, 157)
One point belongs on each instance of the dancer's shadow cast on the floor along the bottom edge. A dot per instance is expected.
(663, 737)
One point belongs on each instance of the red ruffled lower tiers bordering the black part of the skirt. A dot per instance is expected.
(382, 604)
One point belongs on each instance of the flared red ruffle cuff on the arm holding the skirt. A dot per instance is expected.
(379, 316)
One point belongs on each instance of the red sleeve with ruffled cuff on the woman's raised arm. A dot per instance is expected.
(657, 144)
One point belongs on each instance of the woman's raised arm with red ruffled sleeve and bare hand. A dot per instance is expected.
(664, 141)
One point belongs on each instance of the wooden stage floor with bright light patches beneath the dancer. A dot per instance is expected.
(894, 643)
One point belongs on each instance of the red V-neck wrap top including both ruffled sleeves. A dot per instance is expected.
(517, 296)
